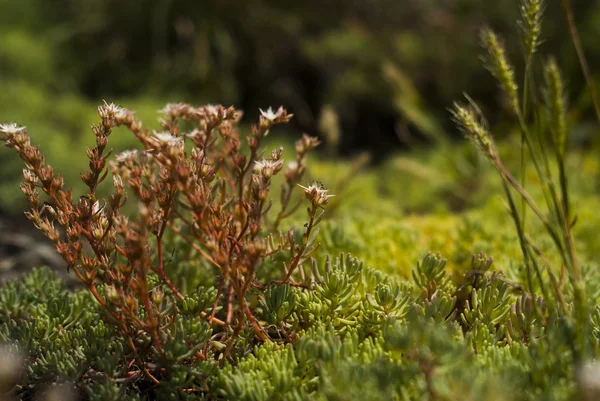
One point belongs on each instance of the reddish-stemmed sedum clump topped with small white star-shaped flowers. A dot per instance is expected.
(194, 180)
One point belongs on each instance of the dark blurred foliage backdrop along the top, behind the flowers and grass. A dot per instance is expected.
(354, 57)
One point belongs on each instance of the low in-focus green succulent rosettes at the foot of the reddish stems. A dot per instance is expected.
(353, 333)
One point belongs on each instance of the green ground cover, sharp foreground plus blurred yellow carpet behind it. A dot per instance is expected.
(370, 330)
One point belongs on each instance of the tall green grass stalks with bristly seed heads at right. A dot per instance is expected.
(544, 141)
